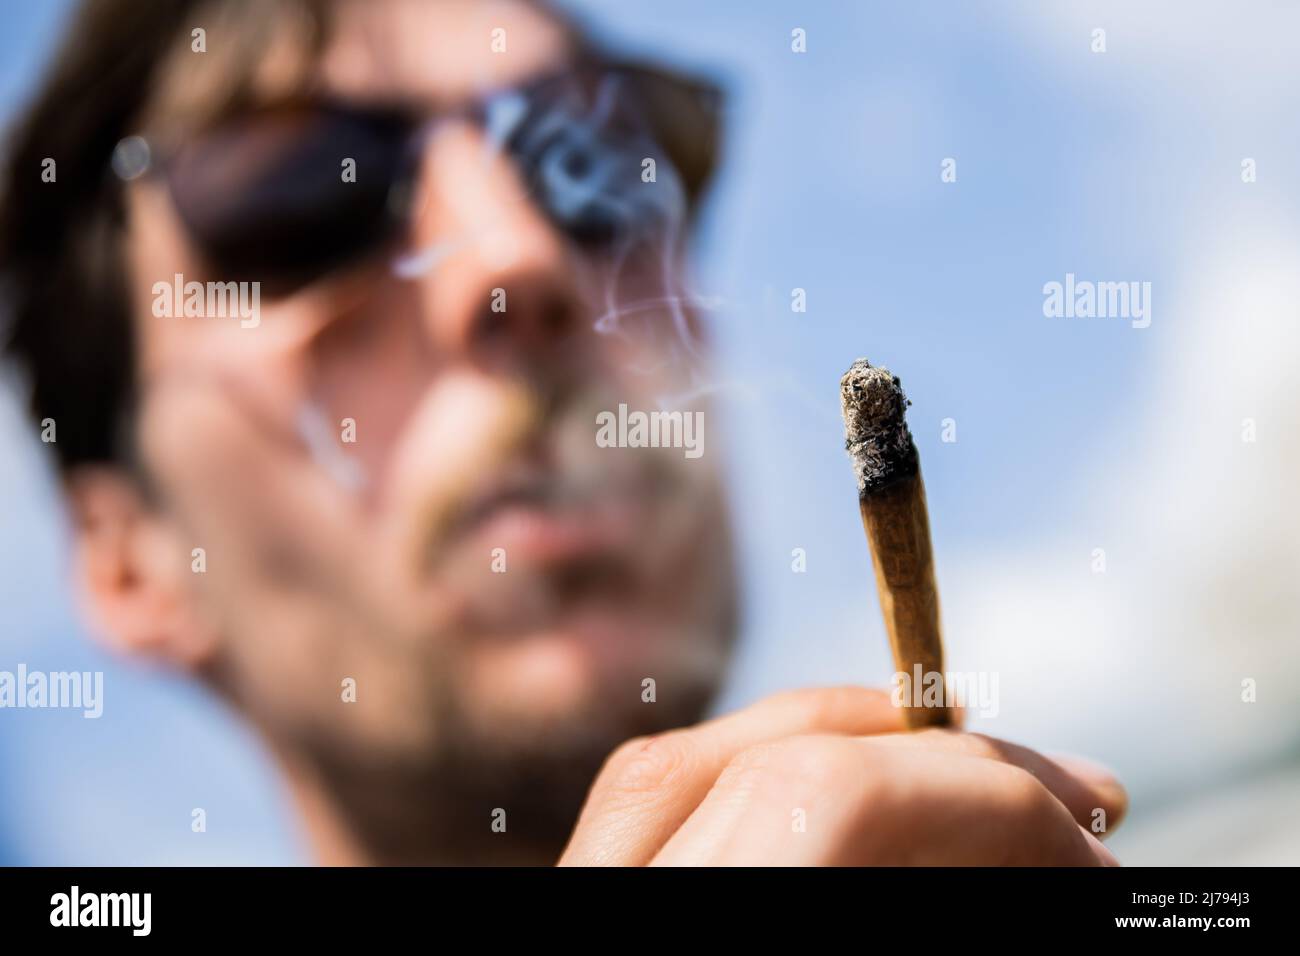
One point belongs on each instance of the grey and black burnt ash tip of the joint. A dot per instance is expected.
(876, 429)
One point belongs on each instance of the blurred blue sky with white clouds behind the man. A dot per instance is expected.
(1072, 435)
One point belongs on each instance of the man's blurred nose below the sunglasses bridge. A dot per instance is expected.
(493, 275)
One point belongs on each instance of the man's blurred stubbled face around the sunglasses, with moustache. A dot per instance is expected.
(415, 553)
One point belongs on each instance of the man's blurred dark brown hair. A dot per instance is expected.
(63, 274)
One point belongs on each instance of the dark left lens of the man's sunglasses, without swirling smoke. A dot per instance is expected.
(285, 197)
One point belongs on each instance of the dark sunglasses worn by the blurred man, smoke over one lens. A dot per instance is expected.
(266, 194)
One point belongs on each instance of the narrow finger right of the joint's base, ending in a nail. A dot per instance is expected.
(1090, 793)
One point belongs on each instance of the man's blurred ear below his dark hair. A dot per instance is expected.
(132, 573)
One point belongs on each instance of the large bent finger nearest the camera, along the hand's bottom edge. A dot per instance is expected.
(851, 802)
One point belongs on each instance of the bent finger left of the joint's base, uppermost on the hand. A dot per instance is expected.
(649, 788)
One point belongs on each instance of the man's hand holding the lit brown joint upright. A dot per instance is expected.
(734, 791)
